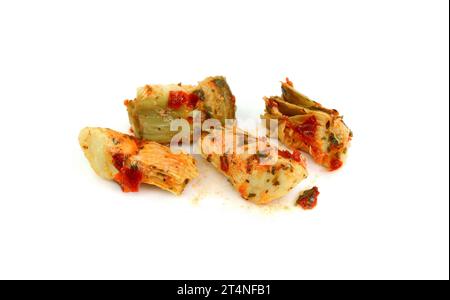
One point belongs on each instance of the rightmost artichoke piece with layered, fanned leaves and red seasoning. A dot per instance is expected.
(308, 126)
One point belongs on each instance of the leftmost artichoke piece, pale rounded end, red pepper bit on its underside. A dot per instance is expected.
(130, 162)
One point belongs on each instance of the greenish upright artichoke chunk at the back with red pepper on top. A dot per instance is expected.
(156, 106)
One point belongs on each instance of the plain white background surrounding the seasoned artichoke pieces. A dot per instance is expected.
(65, 65)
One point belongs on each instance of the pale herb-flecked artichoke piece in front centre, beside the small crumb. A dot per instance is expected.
(260, 178)
